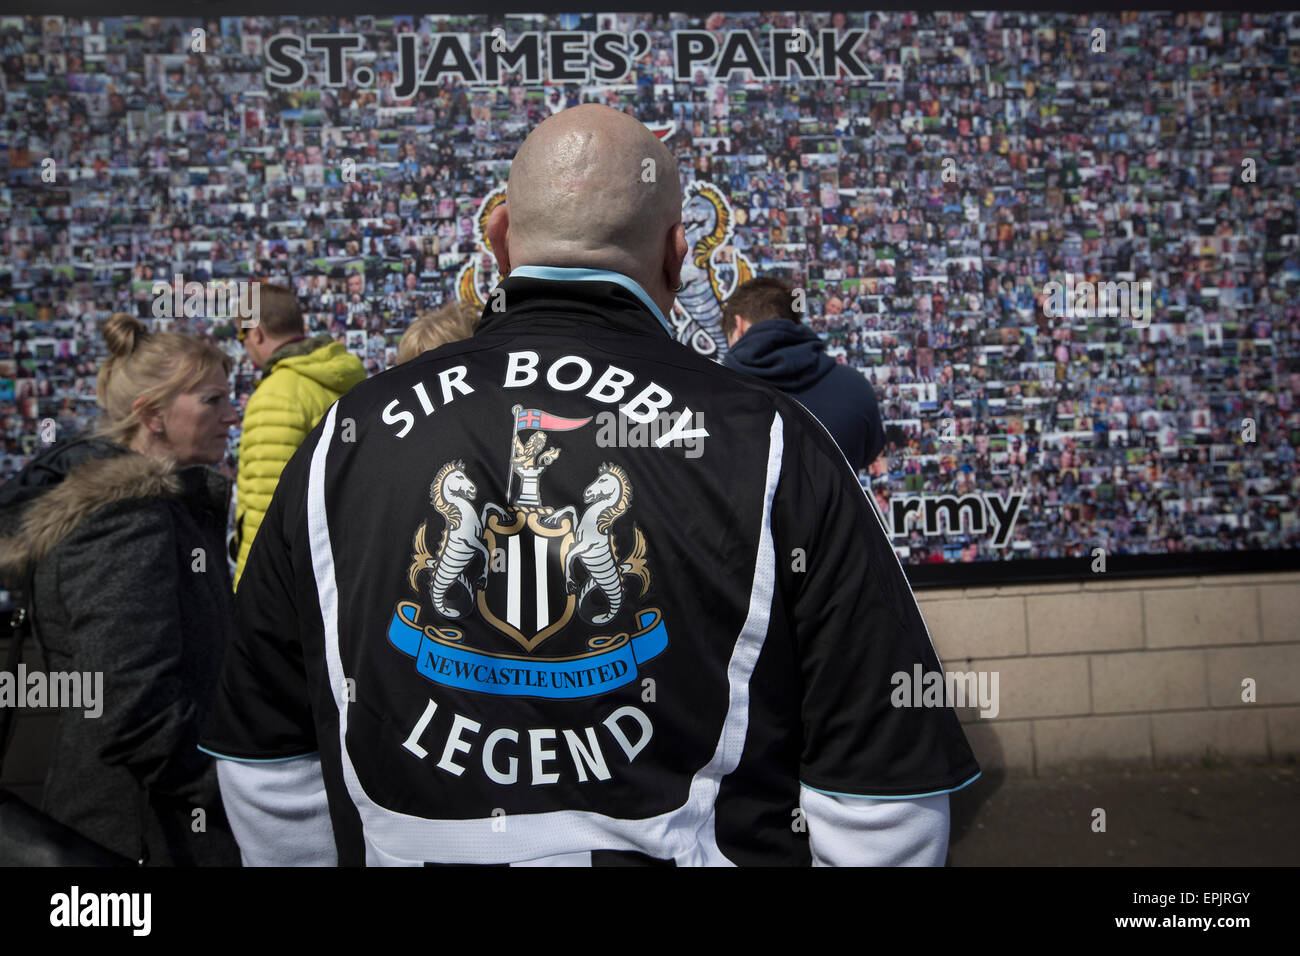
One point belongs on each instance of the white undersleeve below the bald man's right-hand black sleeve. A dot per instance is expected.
(863, 832)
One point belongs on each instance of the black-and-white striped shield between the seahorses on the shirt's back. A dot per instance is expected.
(526, 598)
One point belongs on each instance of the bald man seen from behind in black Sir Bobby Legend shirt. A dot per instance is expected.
(567, 594)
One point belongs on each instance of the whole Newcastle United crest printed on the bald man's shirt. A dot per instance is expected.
(530, 570)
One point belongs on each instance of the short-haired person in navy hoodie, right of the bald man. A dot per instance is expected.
(768, 340)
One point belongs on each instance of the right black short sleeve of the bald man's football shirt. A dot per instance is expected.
(857, 629)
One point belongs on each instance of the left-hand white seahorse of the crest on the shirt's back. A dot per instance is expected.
(453, 495)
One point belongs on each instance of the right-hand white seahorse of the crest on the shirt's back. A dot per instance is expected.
(595, 548)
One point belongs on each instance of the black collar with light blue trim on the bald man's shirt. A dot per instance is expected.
(606, 299)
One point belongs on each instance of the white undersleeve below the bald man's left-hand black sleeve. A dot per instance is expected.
(279, 812)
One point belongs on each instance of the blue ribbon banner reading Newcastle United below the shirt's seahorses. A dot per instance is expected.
(613, 665)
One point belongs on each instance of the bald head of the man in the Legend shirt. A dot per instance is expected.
(593, 188)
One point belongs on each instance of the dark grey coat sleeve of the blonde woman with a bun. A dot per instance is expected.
(127, 617)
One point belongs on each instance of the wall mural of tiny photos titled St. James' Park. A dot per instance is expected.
(1061, 248)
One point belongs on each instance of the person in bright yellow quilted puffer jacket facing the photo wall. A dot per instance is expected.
(302, 378)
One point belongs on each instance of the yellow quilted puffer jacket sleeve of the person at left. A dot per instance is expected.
(275, 425)
